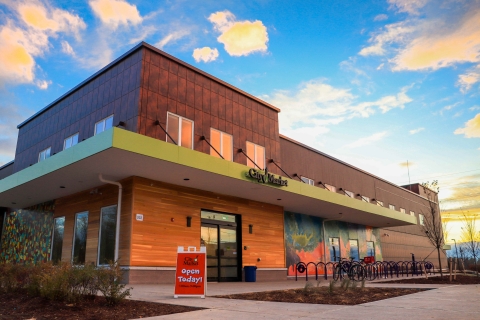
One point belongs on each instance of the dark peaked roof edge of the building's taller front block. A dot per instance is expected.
(123, 56)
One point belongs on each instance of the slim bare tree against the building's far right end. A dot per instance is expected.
(432, 221)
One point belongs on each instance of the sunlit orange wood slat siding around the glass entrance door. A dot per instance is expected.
(155, 240)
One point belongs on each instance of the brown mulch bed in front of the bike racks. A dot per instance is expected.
(321, 295)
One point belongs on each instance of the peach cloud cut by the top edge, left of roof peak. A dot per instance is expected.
(116, 12)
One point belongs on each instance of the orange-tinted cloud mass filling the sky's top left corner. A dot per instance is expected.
(25, 36)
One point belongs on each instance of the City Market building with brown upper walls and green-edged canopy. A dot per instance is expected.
(180, 155)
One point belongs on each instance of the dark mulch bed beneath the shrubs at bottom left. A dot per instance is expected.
(19, 305)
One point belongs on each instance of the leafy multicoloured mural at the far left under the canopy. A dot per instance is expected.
(27, 234)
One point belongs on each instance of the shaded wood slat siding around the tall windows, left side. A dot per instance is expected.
(84, 201)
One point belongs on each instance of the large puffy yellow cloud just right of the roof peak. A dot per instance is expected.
(240, 38)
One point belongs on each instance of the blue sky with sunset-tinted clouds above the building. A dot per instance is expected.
(389, 86)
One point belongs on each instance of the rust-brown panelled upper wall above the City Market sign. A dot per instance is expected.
(170, 86)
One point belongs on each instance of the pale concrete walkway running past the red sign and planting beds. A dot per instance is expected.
(446, 302)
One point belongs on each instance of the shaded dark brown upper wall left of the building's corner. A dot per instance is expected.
(114, 90)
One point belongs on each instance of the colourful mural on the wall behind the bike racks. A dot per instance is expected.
(304, 241)
